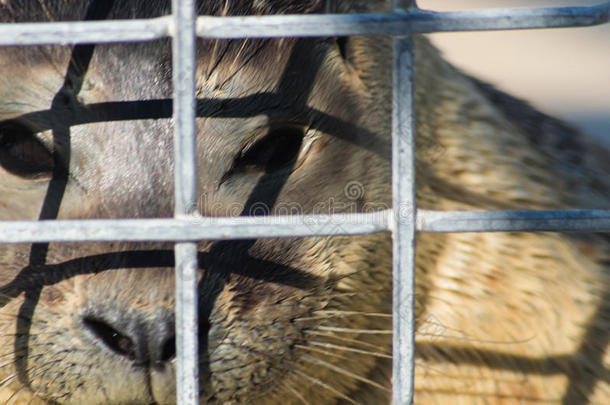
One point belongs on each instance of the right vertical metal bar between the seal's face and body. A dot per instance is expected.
(403, 184)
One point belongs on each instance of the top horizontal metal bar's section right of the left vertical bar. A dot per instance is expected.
(401, 23)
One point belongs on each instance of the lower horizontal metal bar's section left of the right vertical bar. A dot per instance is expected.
(191, 229)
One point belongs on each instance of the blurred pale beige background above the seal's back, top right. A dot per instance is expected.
(564, 72)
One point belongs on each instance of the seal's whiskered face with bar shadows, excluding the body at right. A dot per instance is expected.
(285, 127)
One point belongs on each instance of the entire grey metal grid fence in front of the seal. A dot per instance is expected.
(186, 228)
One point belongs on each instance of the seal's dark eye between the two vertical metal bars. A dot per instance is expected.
(278, 150)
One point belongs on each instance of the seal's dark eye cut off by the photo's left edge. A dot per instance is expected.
(22, 154)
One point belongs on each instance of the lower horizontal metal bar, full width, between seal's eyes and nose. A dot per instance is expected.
(206, 228)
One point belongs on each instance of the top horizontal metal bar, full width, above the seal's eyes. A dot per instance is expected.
(413, 22)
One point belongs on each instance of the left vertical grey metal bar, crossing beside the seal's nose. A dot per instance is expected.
(185, 167)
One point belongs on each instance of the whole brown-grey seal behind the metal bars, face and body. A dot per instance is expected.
(287, 126)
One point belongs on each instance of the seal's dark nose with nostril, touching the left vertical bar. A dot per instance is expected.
(146, 339)
